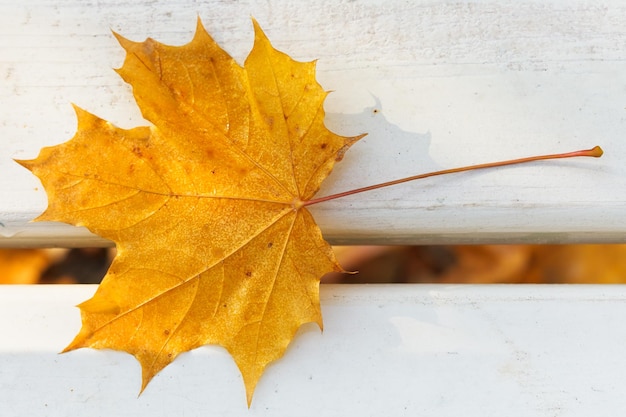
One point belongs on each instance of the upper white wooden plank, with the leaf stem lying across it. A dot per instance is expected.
(452, 83)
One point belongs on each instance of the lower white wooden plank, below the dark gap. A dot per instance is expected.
(425, 350)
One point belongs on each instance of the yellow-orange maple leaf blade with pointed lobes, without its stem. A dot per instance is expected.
(206, 206)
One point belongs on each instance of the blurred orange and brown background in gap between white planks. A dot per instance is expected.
(550, 264)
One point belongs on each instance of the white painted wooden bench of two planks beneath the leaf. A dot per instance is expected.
(436, 84)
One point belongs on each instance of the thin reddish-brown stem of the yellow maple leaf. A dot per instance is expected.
(595, 152)
